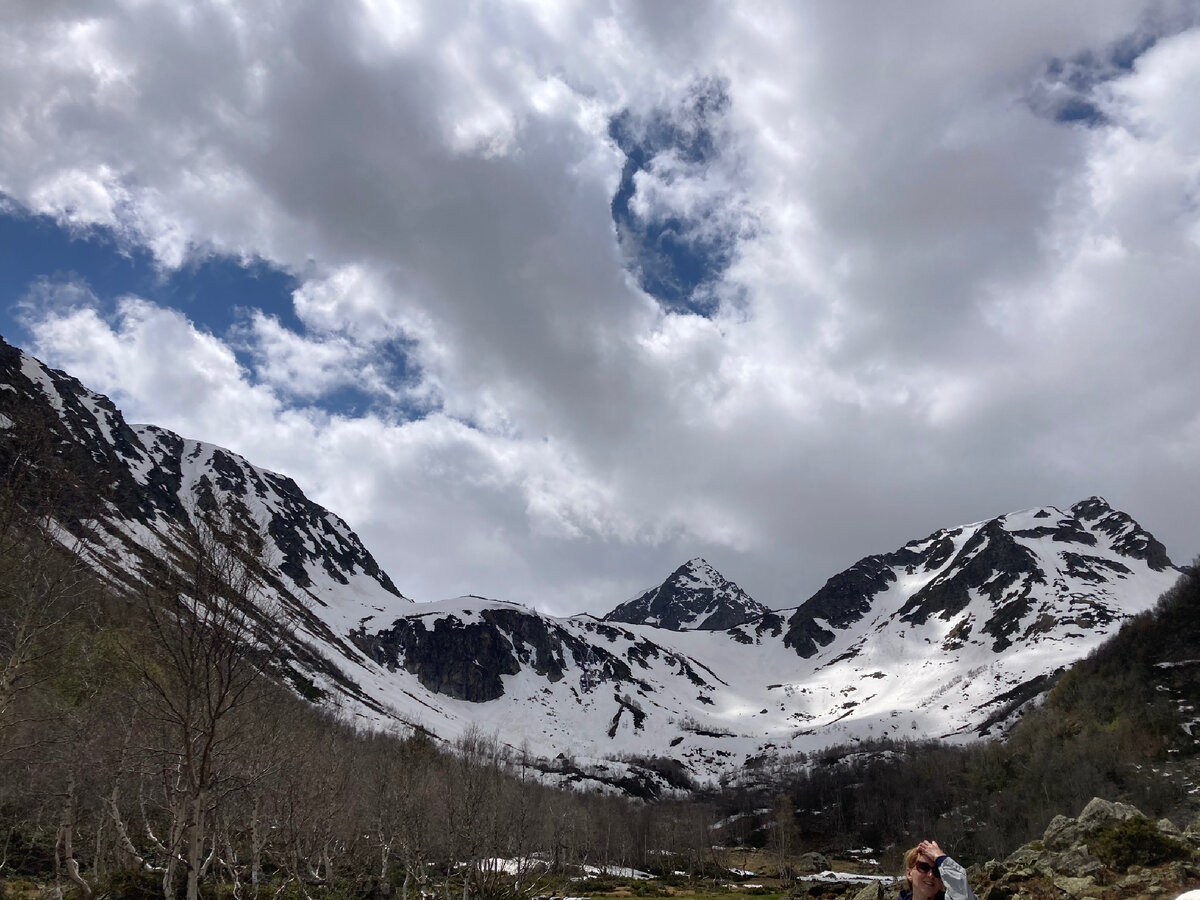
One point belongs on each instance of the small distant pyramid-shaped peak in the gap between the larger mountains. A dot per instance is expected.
(694, 597)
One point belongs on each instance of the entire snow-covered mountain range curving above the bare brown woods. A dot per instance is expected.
(949, 637)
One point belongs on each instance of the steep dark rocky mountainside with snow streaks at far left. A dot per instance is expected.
(129, 497)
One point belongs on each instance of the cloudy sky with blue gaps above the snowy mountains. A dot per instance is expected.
(548, 298)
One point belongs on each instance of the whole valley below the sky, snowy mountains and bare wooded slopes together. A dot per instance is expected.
(208, 676)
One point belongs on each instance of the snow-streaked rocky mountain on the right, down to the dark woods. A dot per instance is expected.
(1011, 601)
